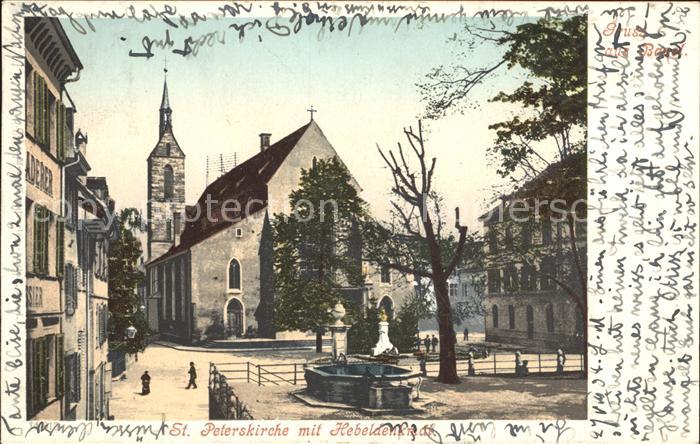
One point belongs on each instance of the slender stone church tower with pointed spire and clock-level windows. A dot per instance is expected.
(166, 185)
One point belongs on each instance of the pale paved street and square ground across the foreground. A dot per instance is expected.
(479, 397)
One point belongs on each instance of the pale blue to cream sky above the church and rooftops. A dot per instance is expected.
(362, 84)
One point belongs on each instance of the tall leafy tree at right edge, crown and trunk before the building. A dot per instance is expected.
(552, 52)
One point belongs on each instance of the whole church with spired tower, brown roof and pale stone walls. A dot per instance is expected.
(212, 276)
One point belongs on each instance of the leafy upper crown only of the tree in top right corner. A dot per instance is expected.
(553, 98)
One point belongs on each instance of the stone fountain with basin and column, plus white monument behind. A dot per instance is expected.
(367, 385)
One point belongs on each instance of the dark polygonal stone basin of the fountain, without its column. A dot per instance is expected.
(389, 386)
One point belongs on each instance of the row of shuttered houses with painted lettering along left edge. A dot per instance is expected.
(68, 234)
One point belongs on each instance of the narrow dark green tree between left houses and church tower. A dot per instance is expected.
(125, 278)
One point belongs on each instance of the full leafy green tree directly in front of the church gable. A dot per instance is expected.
(315, 248)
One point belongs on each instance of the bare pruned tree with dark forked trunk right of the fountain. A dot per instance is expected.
(415, 242)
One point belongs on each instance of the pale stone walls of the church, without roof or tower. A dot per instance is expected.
(191, 282)
